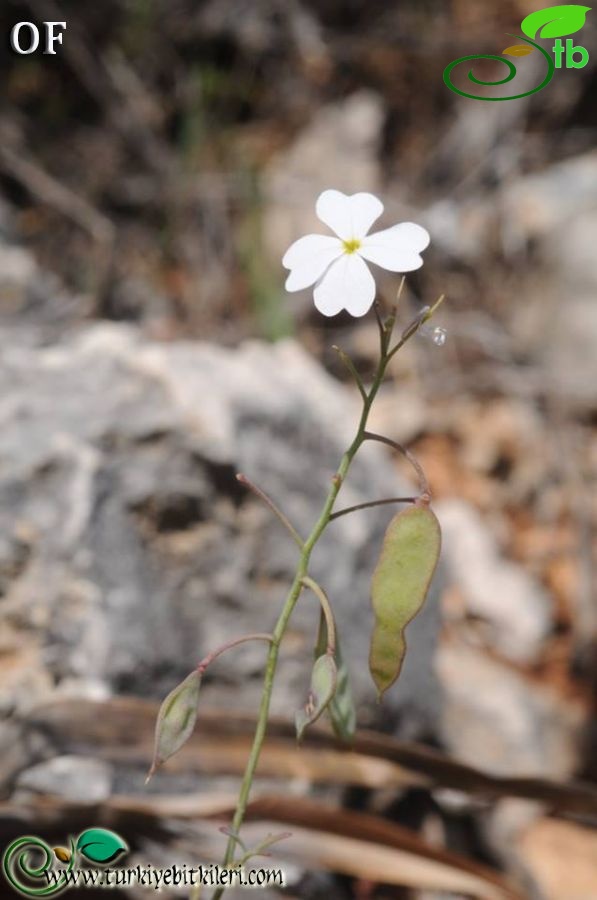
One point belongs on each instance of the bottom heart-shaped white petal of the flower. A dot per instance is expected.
(347, 284)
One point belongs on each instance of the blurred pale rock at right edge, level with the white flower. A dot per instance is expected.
(548, 220)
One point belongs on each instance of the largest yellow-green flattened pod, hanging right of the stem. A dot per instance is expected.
(401, 580)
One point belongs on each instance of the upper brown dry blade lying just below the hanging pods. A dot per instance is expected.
(122, 728)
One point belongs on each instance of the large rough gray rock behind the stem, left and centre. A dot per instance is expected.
(142, 553)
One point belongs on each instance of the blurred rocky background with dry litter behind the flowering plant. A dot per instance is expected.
(152, 173)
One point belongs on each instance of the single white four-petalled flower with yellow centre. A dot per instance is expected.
(336, 264)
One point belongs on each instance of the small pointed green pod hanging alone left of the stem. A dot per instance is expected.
(176, 720)
